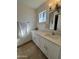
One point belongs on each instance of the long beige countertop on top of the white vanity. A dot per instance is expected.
(52, 38)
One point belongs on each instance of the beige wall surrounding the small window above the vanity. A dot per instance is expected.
(43, 7)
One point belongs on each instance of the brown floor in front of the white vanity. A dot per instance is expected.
(29, 51)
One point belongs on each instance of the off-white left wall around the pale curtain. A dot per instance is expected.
(26, 14)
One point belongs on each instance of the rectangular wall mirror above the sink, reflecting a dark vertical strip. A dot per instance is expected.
(54, 20)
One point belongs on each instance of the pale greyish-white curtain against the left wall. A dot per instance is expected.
(21, 29)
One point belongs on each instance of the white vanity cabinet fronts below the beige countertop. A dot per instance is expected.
(50, 49)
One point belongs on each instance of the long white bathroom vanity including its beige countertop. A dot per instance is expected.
(49, 44)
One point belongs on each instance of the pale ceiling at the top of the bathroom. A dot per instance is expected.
(32, 3)
